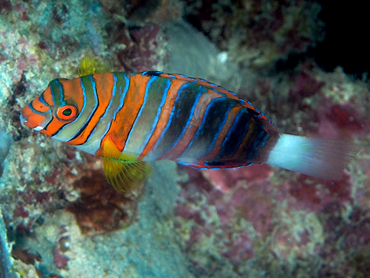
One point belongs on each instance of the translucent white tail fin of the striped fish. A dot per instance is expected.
(322, 158)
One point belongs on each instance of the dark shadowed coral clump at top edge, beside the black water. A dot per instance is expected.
(257, 33)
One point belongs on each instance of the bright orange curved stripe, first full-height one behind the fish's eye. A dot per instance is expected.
(104, 87)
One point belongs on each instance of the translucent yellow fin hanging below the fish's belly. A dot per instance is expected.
(123, 171)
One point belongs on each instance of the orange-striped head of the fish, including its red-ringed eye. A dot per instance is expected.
(55, 108)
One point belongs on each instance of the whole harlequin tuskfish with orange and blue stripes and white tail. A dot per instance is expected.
(132, 118)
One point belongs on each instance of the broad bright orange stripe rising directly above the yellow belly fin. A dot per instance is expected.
(125, 118)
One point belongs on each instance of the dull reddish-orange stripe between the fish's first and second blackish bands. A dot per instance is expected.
(193, 126)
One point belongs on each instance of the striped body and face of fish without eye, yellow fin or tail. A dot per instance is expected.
(154, 116)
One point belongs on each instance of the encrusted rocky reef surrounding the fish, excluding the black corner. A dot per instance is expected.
(60, 218)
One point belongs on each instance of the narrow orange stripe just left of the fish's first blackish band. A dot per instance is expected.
(164, 116)
